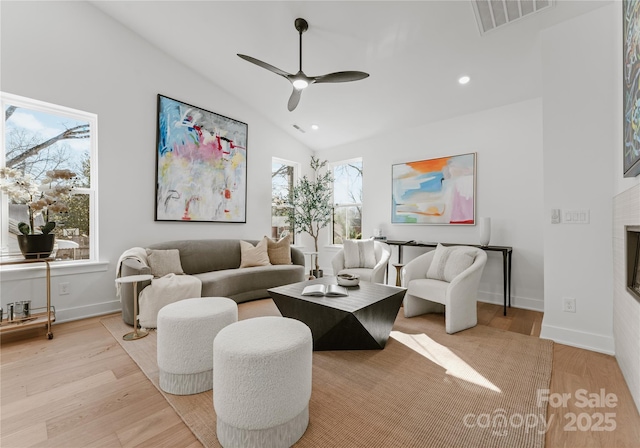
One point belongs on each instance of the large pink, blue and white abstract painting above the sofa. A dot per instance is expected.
(201, 165)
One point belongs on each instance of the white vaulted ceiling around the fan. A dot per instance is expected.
(414, 51)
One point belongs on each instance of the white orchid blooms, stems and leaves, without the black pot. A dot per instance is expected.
(46, 199)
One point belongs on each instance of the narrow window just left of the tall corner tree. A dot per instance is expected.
(283, 175)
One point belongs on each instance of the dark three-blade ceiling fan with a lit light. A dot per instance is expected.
(301, 81)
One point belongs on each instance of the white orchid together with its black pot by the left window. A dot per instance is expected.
(46, 200)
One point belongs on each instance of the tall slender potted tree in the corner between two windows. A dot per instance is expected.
(311, 207)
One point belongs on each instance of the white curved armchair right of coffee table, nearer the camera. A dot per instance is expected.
(445, 279)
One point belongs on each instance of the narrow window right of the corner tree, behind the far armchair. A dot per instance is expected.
(347, 197)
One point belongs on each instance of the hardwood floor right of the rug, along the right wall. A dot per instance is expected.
(579, 373)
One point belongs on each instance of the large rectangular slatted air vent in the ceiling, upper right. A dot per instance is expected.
(492, 14)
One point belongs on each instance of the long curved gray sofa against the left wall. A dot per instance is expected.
(216, 263)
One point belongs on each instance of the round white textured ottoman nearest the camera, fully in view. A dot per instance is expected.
(262, 382)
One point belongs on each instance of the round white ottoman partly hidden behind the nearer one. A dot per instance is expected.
(186, 330)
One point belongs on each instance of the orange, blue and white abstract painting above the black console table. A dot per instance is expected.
(435, 191)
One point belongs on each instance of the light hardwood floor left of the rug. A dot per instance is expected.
(80, 389)
